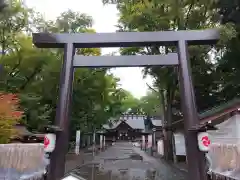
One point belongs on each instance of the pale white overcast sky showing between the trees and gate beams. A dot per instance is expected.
(105, 18)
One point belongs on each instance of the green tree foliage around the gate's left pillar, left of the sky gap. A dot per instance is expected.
(34, 74)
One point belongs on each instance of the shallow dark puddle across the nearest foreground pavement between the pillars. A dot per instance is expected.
(98, 172)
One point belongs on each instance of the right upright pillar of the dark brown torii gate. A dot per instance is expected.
(194, 156)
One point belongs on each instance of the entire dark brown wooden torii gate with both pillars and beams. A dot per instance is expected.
(180, 39)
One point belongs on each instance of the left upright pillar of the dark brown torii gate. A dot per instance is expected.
(57, 162)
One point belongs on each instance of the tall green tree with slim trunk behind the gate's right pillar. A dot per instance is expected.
(160, 15)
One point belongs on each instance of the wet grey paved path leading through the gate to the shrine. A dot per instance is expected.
(122, 161)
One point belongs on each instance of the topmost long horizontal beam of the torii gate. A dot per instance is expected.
(125, 39)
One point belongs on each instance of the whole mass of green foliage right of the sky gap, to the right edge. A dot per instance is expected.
(213, 73)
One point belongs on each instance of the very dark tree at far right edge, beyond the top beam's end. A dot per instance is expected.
(228, 66)
